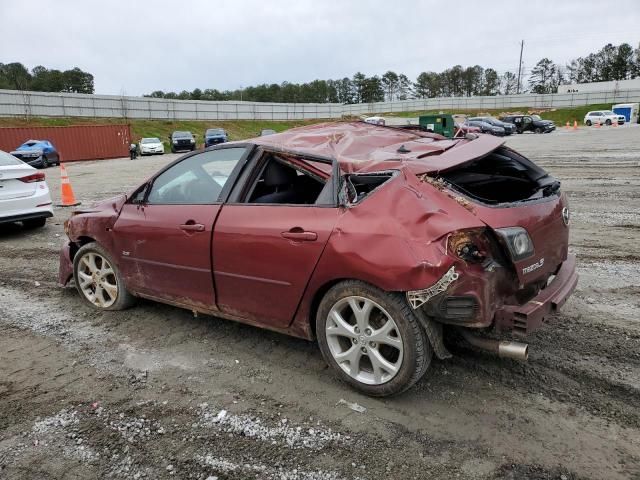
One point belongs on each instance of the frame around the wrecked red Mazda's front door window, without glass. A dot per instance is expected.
(226, 189)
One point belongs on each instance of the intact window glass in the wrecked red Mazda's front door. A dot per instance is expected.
(197, 180)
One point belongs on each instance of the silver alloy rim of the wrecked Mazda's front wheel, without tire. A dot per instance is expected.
(97, 280)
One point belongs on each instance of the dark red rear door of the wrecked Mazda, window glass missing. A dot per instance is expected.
(266, 244)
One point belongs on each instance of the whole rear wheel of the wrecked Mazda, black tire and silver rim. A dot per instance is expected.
(399, 350)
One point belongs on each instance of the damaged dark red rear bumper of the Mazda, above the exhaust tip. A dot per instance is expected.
(526, 318)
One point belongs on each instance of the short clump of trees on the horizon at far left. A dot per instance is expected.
(15, 76)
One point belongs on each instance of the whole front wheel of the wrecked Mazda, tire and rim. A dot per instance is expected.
(94, 267)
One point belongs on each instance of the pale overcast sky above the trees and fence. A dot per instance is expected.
(140, 46)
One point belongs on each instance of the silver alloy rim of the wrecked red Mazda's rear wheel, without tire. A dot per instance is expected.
(364, 340)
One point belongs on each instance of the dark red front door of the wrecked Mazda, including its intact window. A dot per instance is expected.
(164, 239)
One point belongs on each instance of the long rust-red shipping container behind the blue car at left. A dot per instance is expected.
(79, 142)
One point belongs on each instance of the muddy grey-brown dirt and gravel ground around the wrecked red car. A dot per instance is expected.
(153, 392)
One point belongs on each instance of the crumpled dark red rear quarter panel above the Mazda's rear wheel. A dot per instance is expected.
(394, 239)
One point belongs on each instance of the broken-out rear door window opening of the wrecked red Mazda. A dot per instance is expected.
(283, 182)
